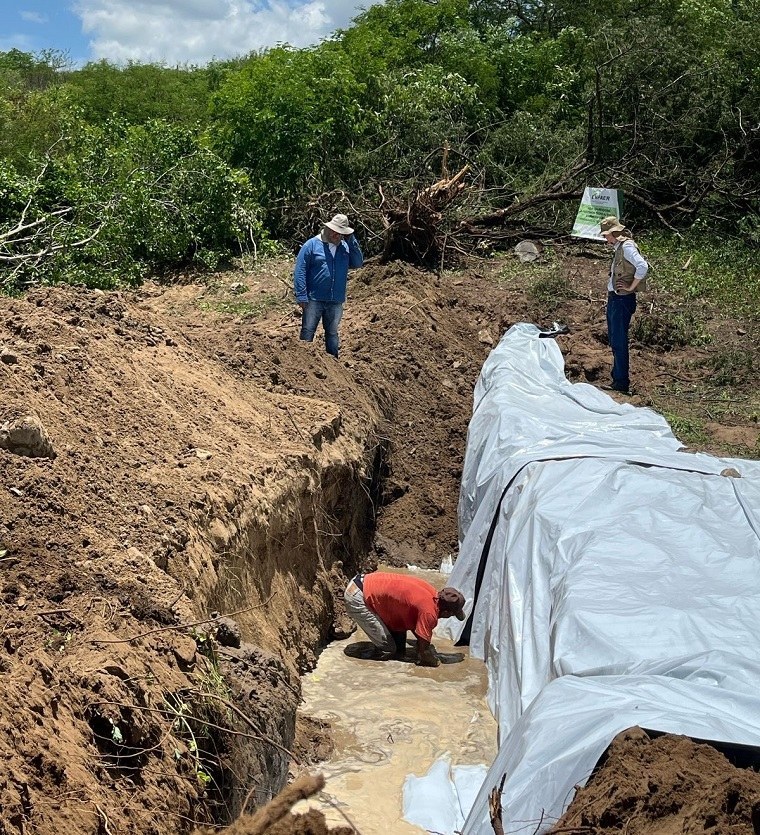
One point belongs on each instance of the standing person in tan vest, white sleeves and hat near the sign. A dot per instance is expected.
(627, 277)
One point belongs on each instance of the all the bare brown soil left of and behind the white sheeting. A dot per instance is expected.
(173, 558)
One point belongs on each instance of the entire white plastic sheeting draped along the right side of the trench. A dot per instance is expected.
(613, 580)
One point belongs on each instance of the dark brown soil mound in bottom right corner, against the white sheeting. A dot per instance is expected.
(669, 784)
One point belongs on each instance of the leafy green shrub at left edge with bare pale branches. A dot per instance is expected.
(116, 202)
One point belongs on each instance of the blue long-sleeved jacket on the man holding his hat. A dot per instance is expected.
(321, 277)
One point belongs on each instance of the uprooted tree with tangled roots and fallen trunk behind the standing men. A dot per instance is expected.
(433, 224)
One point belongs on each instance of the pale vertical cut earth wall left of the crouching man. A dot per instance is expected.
(278, 556)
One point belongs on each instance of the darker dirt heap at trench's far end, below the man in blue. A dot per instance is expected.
(413, 345)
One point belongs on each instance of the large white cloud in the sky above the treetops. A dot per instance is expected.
(195, 31)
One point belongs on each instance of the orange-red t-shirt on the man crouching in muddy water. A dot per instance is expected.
(402, 602)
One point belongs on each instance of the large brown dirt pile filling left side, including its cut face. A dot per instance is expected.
(112, 715)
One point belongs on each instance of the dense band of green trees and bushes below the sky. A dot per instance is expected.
(107, 173)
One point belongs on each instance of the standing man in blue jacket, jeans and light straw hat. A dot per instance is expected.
(321, 276)
